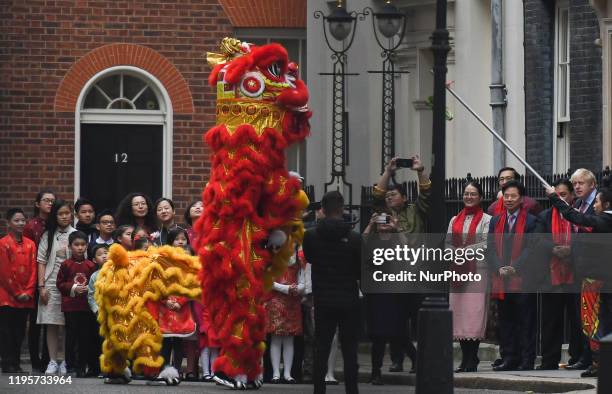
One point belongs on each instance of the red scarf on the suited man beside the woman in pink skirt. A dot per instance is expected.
(514, 284)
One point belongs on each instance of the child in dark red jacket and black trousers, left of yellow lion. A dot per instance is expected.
(72, 280)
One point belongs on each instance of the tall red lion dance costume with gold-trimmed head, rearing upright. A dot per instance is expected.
(250, 198)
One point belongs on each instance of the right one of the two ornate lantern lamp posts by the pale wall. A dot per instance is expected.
(390, 23)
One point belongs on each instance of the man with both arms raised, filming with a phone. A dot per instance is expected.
(410, 219)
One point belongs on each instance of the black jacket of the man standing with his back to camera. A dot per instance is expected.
(334, 251)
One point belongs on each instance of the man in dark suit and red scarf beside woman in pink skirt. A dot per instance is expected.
(507, 254)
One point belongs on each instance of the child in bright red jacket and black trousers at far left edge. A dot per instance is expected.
(17, 281)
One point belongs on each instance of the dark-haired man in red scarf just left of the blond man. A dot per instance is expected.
(561, 284)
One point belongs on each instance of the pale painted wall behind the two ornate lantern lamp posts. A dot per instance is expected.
(469, 145)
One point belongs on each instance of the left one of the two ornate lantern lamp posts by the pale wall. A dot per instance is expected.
(342, 28)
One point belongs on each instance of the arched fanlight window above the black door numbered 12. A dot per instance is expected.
(121, 91)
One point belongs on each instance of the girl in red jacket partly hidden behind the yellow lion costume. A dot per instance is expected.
(174, 315)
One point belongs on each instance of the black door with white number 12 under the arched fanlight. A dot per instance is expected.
(120, 159)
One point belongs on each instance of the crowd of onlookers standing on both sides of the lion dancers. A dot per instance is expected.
(49, 265)
